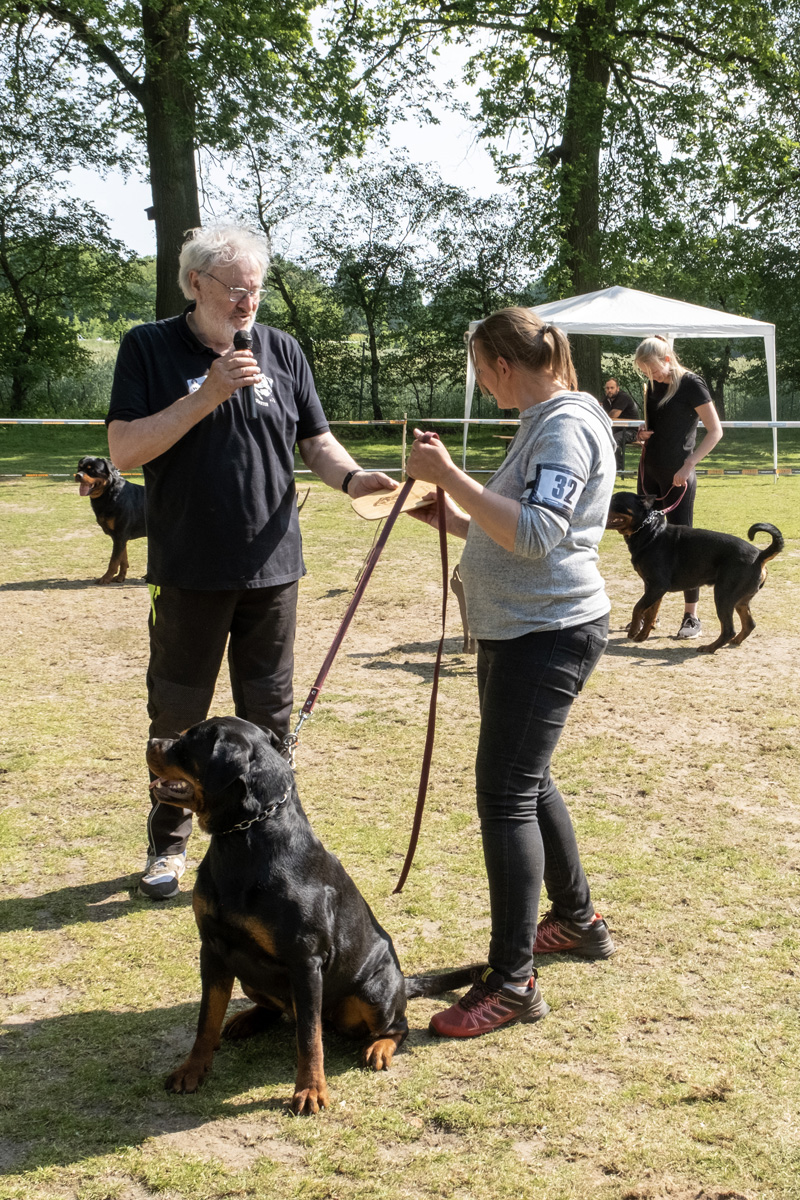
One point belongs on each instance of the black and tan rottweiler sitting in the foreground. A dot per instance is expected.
(279, 913)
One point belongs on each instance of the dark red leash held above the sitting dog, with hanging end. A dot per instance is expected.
(291, 741)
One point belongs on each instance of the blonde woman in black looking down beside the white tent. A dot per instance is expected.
(675, 401)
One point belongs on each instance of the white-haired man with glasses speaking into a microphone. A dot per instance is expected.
(213, 406)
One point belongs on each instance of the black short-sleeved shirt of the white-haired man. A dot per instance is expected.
(221, 502)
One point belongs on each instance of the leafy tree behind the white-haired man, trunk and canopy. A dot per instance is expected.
(170, 79)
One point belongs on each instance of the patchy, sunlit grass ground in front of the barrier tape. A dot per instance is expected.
(666, 1073)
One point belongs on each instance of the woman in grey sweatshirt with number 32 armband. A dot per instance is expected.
(538, 607)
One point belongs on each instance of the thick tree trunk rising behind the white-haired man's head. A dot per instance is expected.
(169, 105)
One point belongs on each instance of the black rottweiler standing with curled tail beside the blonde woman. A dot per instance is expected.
(675, 559)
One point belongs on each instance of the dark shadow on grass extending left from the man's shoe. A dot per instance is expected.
(103, 901)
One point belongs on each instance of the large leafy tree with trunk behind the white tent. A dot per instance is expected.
(625, 125)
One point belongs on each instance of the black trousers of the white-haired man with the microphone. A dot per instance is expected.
(189, 632)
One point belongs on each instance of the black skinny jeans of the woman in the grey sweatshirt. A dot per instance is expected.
(526, 688)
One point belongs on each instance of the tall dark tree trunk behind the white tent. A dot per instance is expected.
(580, 187)
